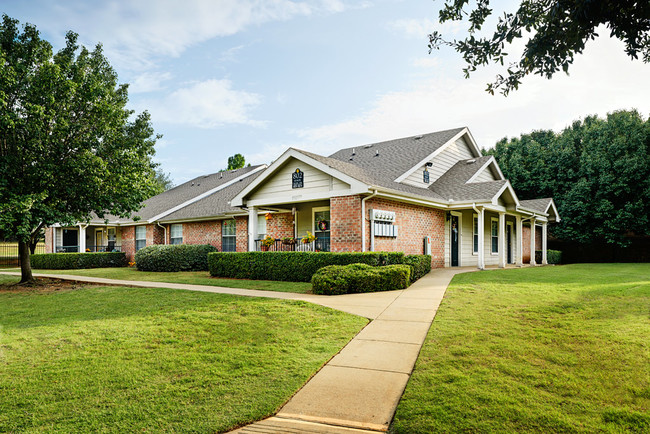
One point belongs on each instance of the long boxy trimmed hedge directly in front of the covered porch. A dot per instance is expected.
(289, 266)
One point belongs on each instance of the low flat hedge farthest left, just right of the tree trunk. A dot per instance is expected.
(72, 261)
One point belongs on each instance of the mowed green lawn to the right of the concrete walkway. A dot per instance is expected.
(552, 349)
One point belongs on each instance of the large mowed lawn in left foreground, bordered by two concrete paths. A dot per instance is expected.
(116, 359)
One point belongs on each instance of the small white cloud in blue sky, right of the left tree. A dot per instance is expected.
(206, 104)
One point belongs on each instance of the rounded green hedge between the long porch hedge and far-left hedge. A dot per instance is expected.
(174, 257)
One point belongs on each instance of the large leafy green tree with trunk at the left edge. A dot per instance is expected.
(68, 148)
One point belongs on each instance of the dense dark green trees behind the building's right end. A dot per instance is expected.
(597, 170)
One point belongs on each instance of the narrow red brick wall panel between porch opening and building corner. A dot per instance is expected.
(345, 226)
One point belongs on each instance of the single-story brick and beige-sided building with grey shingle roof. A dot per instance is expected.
(432, 193)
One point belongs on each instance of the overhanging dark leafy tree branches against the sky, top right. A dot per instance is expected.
(556, 30)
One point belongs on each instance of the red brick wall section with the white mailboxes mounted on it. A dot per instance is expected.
(415, 222)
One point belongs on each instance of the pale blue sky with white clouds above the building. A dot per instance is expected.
(256, 77)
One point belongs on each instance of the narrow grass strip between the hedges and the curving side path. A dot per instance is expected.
(192, 277)
